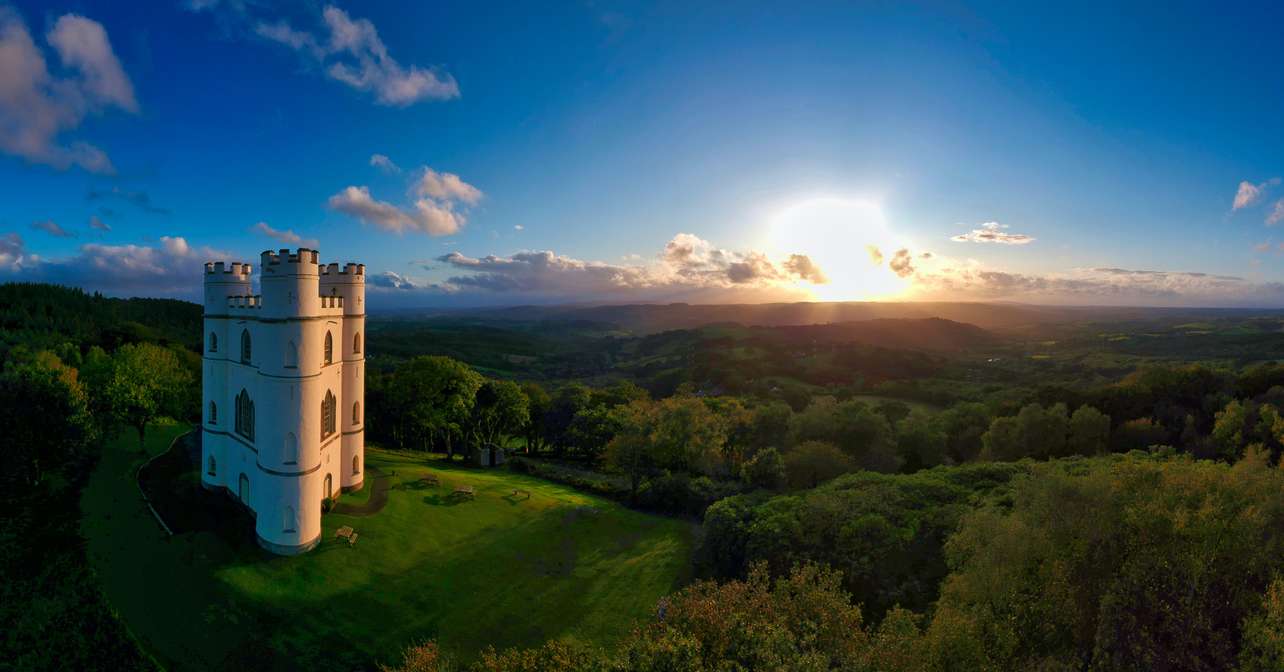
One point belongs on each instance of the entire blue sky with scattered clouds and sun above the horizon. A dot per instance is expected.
(653, 152)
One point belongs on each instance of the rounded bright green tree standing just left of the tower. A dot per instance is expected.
(146, 382)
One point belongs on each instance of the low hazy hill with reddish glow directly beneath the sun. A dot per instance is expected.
(932, 333)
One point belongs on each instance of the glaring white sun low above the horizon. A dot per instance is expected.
(839, 234)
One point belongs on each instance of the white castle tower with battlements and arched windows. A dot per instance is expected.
(284, 386)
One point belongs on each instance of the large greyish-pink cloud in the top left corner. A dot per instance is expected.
(37, 109)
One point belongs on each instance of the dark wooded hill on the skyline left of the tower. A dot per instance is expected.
(47, 317)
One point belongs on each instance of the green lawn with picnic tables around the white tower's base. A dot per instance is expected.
(499, 570)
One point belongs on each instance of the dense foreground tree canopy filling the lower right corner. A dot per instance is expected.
(1110, 563)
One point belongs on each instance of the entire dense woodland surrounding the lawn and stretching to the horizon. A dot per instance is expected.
(1095, 491)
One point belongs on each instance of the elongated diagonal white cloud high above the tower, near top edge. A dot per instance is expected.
(351, 52)
